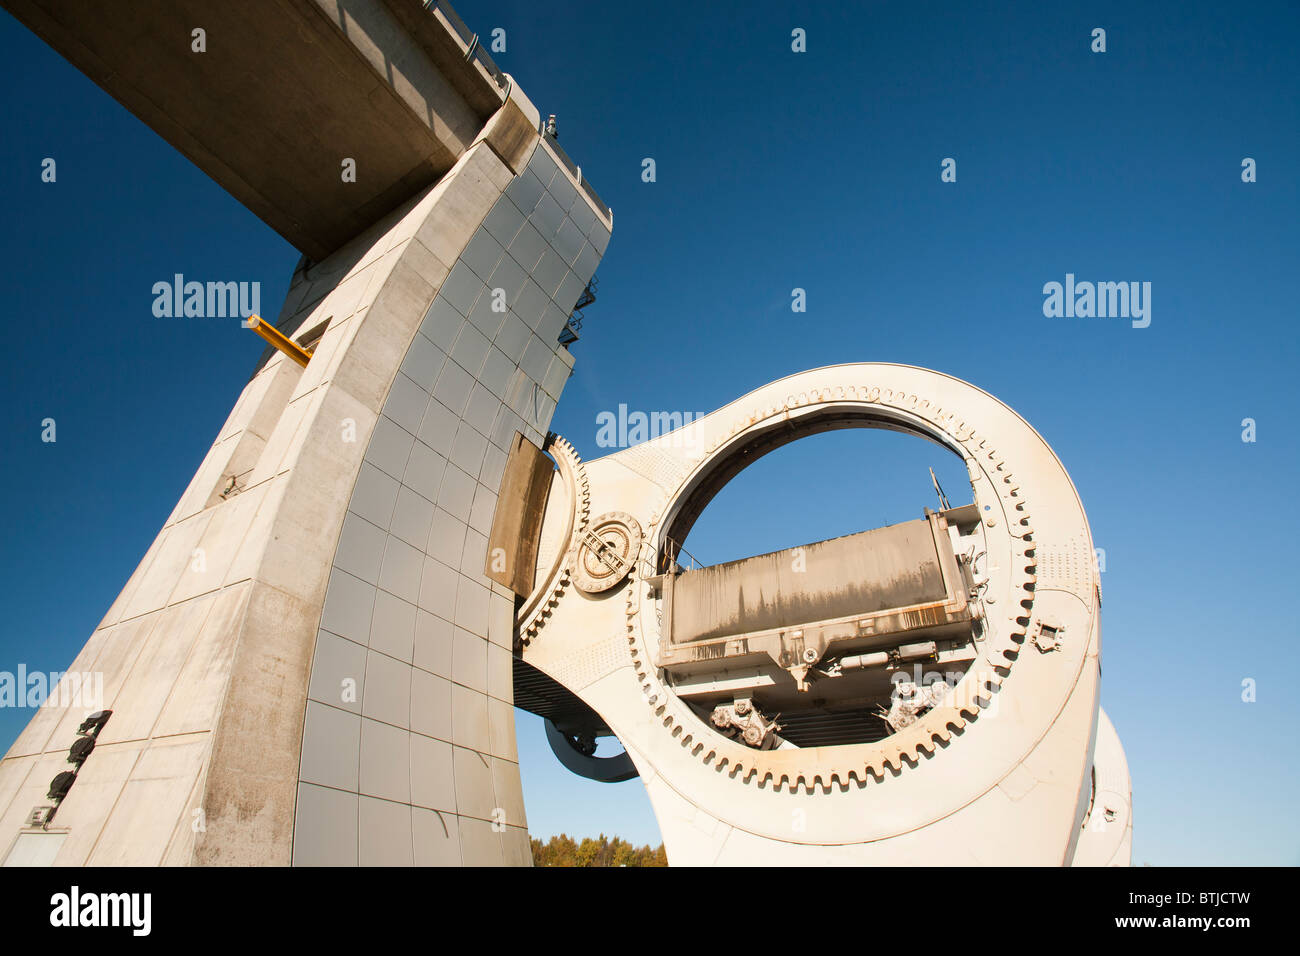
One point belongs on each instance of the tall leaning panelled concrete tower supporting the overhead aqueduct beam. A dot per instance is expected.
(310, 664)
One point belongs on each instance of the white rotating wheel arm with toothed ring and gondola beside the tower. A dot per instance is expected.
(920, 694)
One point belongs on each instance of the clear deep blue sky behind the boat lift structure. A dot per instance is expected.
(779, 171)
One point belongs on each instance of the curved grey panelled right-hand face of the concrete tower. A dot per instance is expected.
(411, 615)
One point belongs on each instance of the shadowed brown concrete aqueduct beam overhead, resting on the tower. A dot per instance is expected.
(284, 93)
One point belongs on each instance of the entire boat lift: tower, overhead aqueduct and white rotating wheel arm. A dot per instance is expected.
(925, 693)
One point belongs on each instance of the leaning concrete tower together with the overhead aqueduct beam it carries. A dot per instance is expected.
(310, 664)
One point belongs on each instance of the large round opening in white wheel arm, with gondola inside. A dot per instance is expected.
(826, 591)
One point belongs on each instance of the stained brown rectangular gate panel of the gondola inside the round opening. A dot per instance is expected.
(860, 574)
